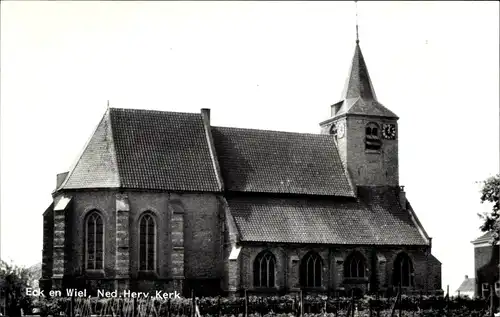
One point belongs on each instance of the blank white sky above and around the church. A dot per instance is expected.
(264, 65)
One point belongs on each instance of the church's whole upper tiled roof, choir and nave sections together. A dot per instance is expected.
(145, 149)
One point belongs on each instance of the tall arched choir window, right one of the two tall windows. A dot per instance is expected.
(147, 243)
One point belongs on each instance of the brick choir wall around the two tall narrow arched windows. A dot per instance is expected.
(188, 242)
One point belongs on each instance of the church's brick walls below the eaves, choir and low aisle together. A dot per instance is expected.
(191, 248)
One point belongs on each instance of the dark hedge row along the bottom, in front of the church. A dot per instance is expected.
(262, 306)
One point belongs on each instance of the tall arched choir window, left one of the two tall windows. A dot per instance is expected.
(94, 242)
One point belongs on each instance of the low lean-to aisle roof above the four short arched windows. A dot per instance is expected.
(375, 219)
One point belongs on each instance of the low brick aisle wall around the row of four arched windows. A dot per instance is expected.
(379, 261)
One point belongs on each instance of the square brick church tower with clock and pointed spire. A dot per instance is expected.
(365, 130)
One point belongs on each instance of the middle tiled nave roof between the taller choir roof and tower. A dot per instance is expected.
(280, 162)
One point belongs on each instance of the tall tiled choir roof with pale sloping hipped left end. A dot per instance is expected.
(145, 149)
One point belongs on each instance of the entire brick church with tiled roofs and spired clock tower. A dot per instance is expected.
(163, 200)
